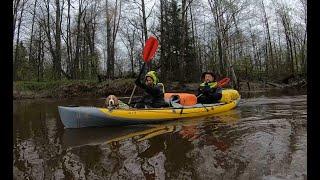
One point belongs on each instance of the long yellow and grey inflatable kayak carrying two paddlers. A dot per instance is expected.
(82, 116)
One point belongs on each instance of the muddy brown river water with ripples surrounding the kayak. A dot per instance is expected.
(265, 137)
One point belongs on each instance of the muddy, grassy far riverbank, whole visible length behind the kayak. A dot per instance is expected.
(119, 87)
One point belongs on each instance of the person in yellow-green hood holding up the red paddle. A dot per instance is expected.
(153, 95)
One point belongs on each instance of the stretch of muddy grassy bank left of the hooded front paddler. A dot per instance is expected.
(72, 89)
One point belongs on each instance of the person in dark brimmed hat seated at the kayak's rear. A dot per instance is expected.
(208, 91)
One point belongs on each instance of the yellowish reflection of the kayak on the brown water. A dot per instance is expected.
(187, 129)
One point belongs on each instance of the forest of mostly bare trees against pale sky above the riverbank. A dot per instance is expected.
(246, 40)
